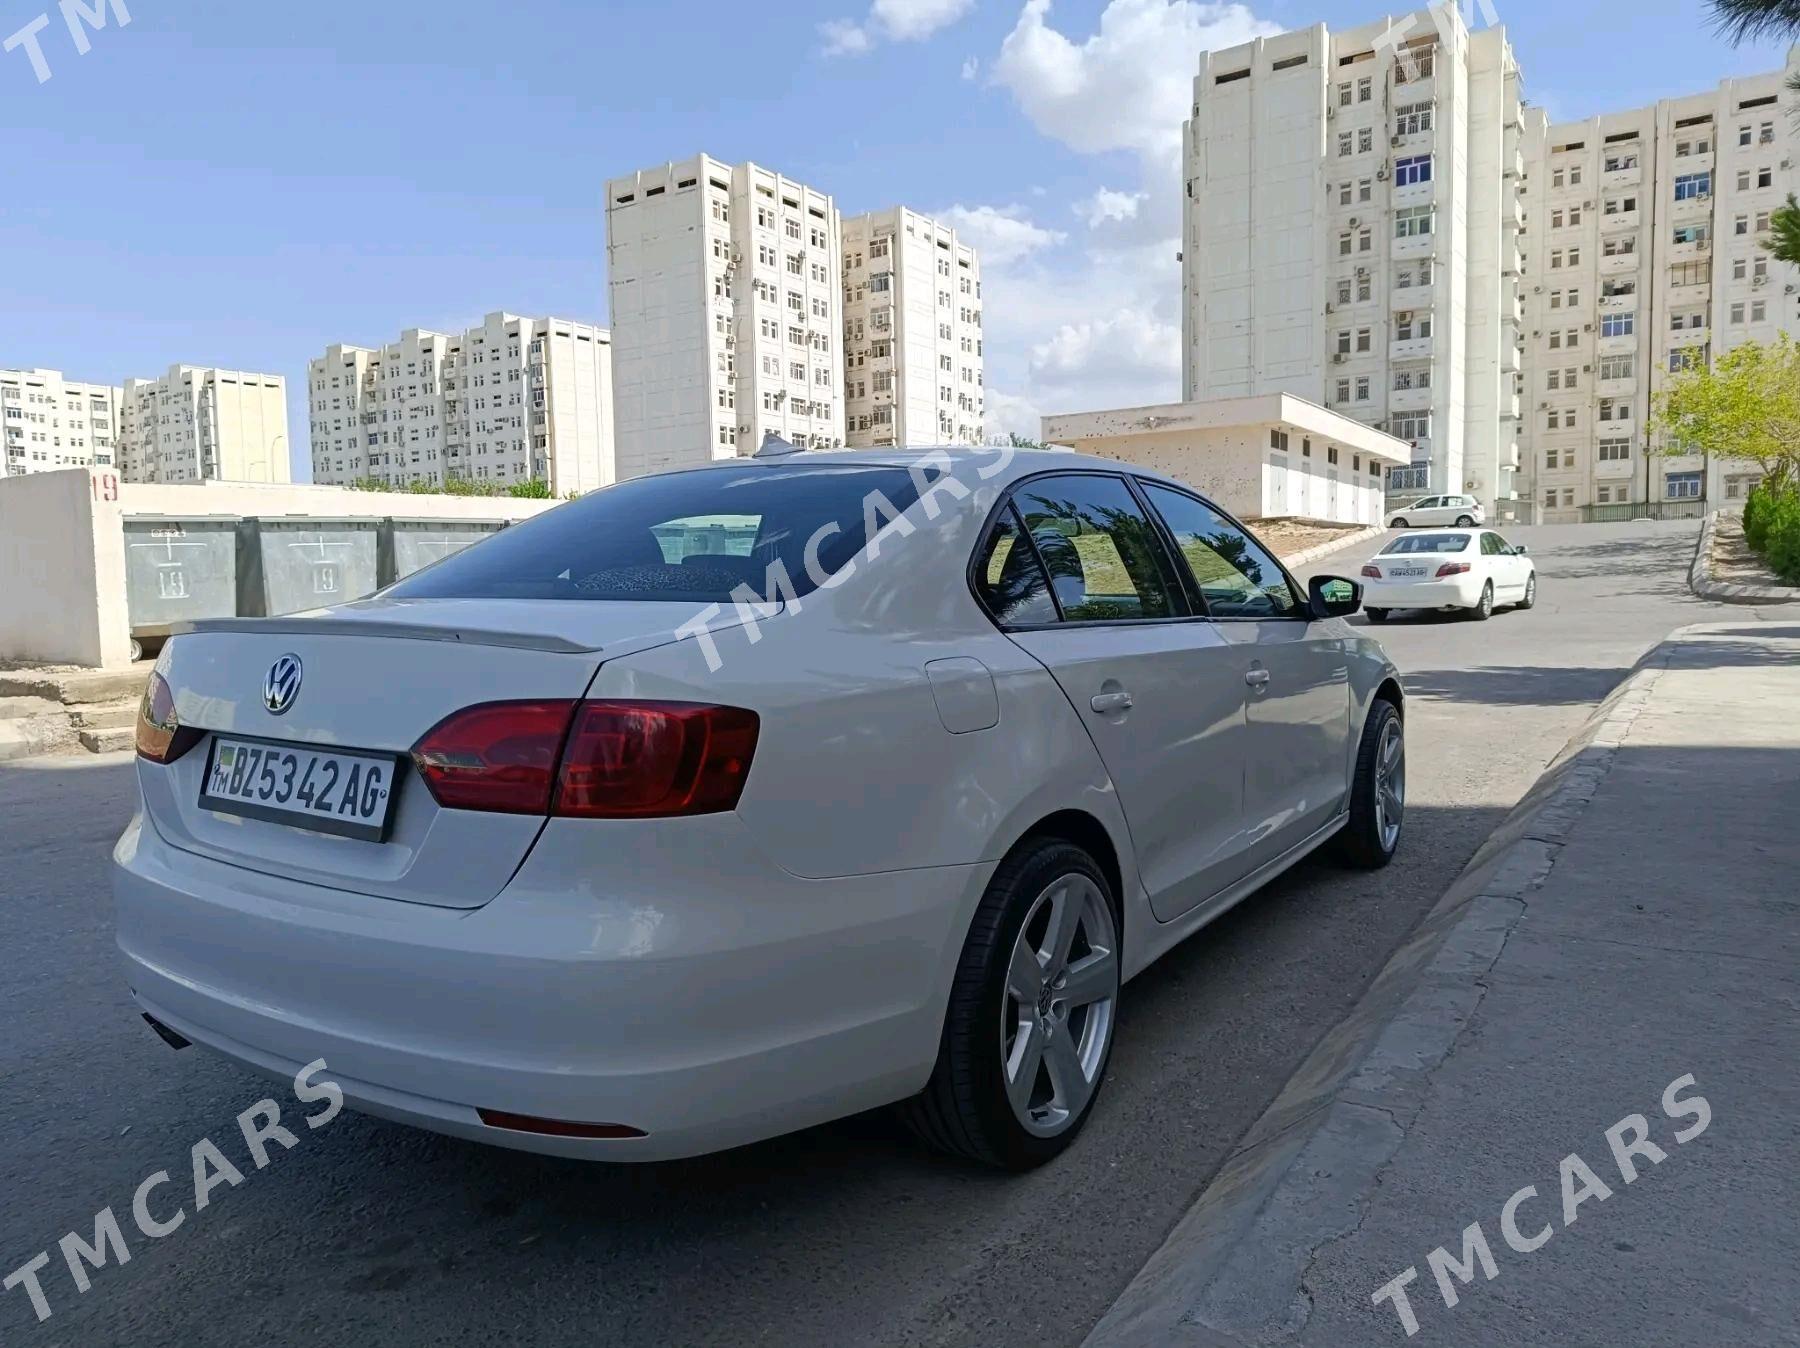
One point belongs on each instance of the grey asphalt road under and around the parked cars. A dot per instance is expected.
(841, 1236)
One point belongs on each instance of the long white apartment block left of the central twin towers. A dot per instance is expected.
(505, 402)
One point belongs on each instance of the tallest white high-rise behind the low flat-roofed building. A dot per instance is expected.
(1353, 237)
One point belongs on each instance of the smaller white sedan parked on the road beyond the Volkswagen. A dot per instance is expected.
(1470, 570)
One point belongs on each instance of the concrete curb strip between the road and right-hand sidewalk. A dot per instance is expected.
(1234, 1270)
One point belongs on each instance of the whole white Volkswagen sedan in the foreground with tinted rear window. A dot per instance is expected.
(735, 800)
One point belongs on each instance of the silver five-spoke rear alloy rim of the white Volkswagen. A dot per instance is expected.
(1057, 1014)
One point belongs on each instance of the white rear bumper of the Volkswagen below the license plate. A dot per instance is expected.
(723, 1003)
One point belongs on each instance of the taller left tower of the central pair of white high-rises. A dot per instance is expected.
(726, 327)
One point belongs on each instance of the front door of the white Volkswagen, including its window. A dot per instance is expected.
(1297, 674)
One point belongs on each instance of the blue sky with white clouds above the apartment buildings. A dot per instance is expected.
(247, 190)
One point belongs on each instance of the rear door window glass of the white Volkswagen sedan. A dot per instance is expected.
(1102, 555)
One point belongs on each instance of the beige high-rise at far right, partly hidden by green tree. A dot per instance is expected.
(1648, 255)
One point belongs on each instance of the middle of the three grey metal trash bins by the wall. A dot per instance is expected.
(291, 564)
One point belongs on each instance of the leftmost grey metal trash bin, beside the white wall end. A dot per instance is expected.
(179, 570)
